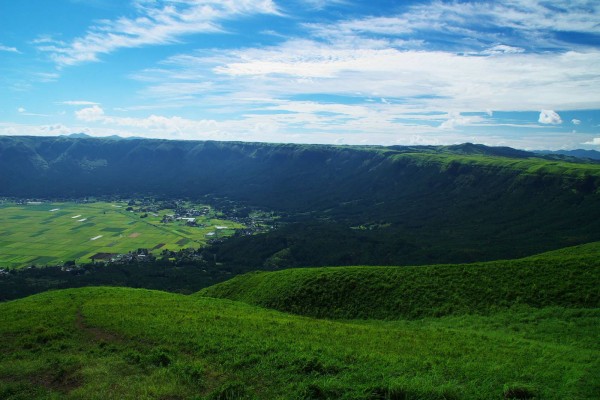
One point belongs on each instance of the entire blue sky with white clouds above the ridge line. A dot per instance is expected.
(519, 73)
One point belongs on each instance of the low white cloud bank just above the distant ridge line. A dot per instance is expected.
(305, 122)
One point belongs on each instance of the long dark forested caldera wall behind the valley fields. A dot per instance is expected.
(413, 204)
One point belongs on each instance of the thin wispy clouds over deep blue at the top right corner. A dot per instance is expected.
(477, 24)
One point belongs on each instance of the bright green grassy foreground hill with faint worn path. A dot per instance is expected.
(112, 343)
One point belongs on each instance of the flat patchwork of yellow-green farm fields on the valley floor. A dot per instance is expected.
(53, 233)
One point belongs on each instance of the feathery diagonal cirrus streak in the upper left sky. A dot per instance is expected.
(157, 23)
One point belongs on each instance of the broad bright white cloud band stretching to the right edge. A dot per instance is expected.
(434, 80)
